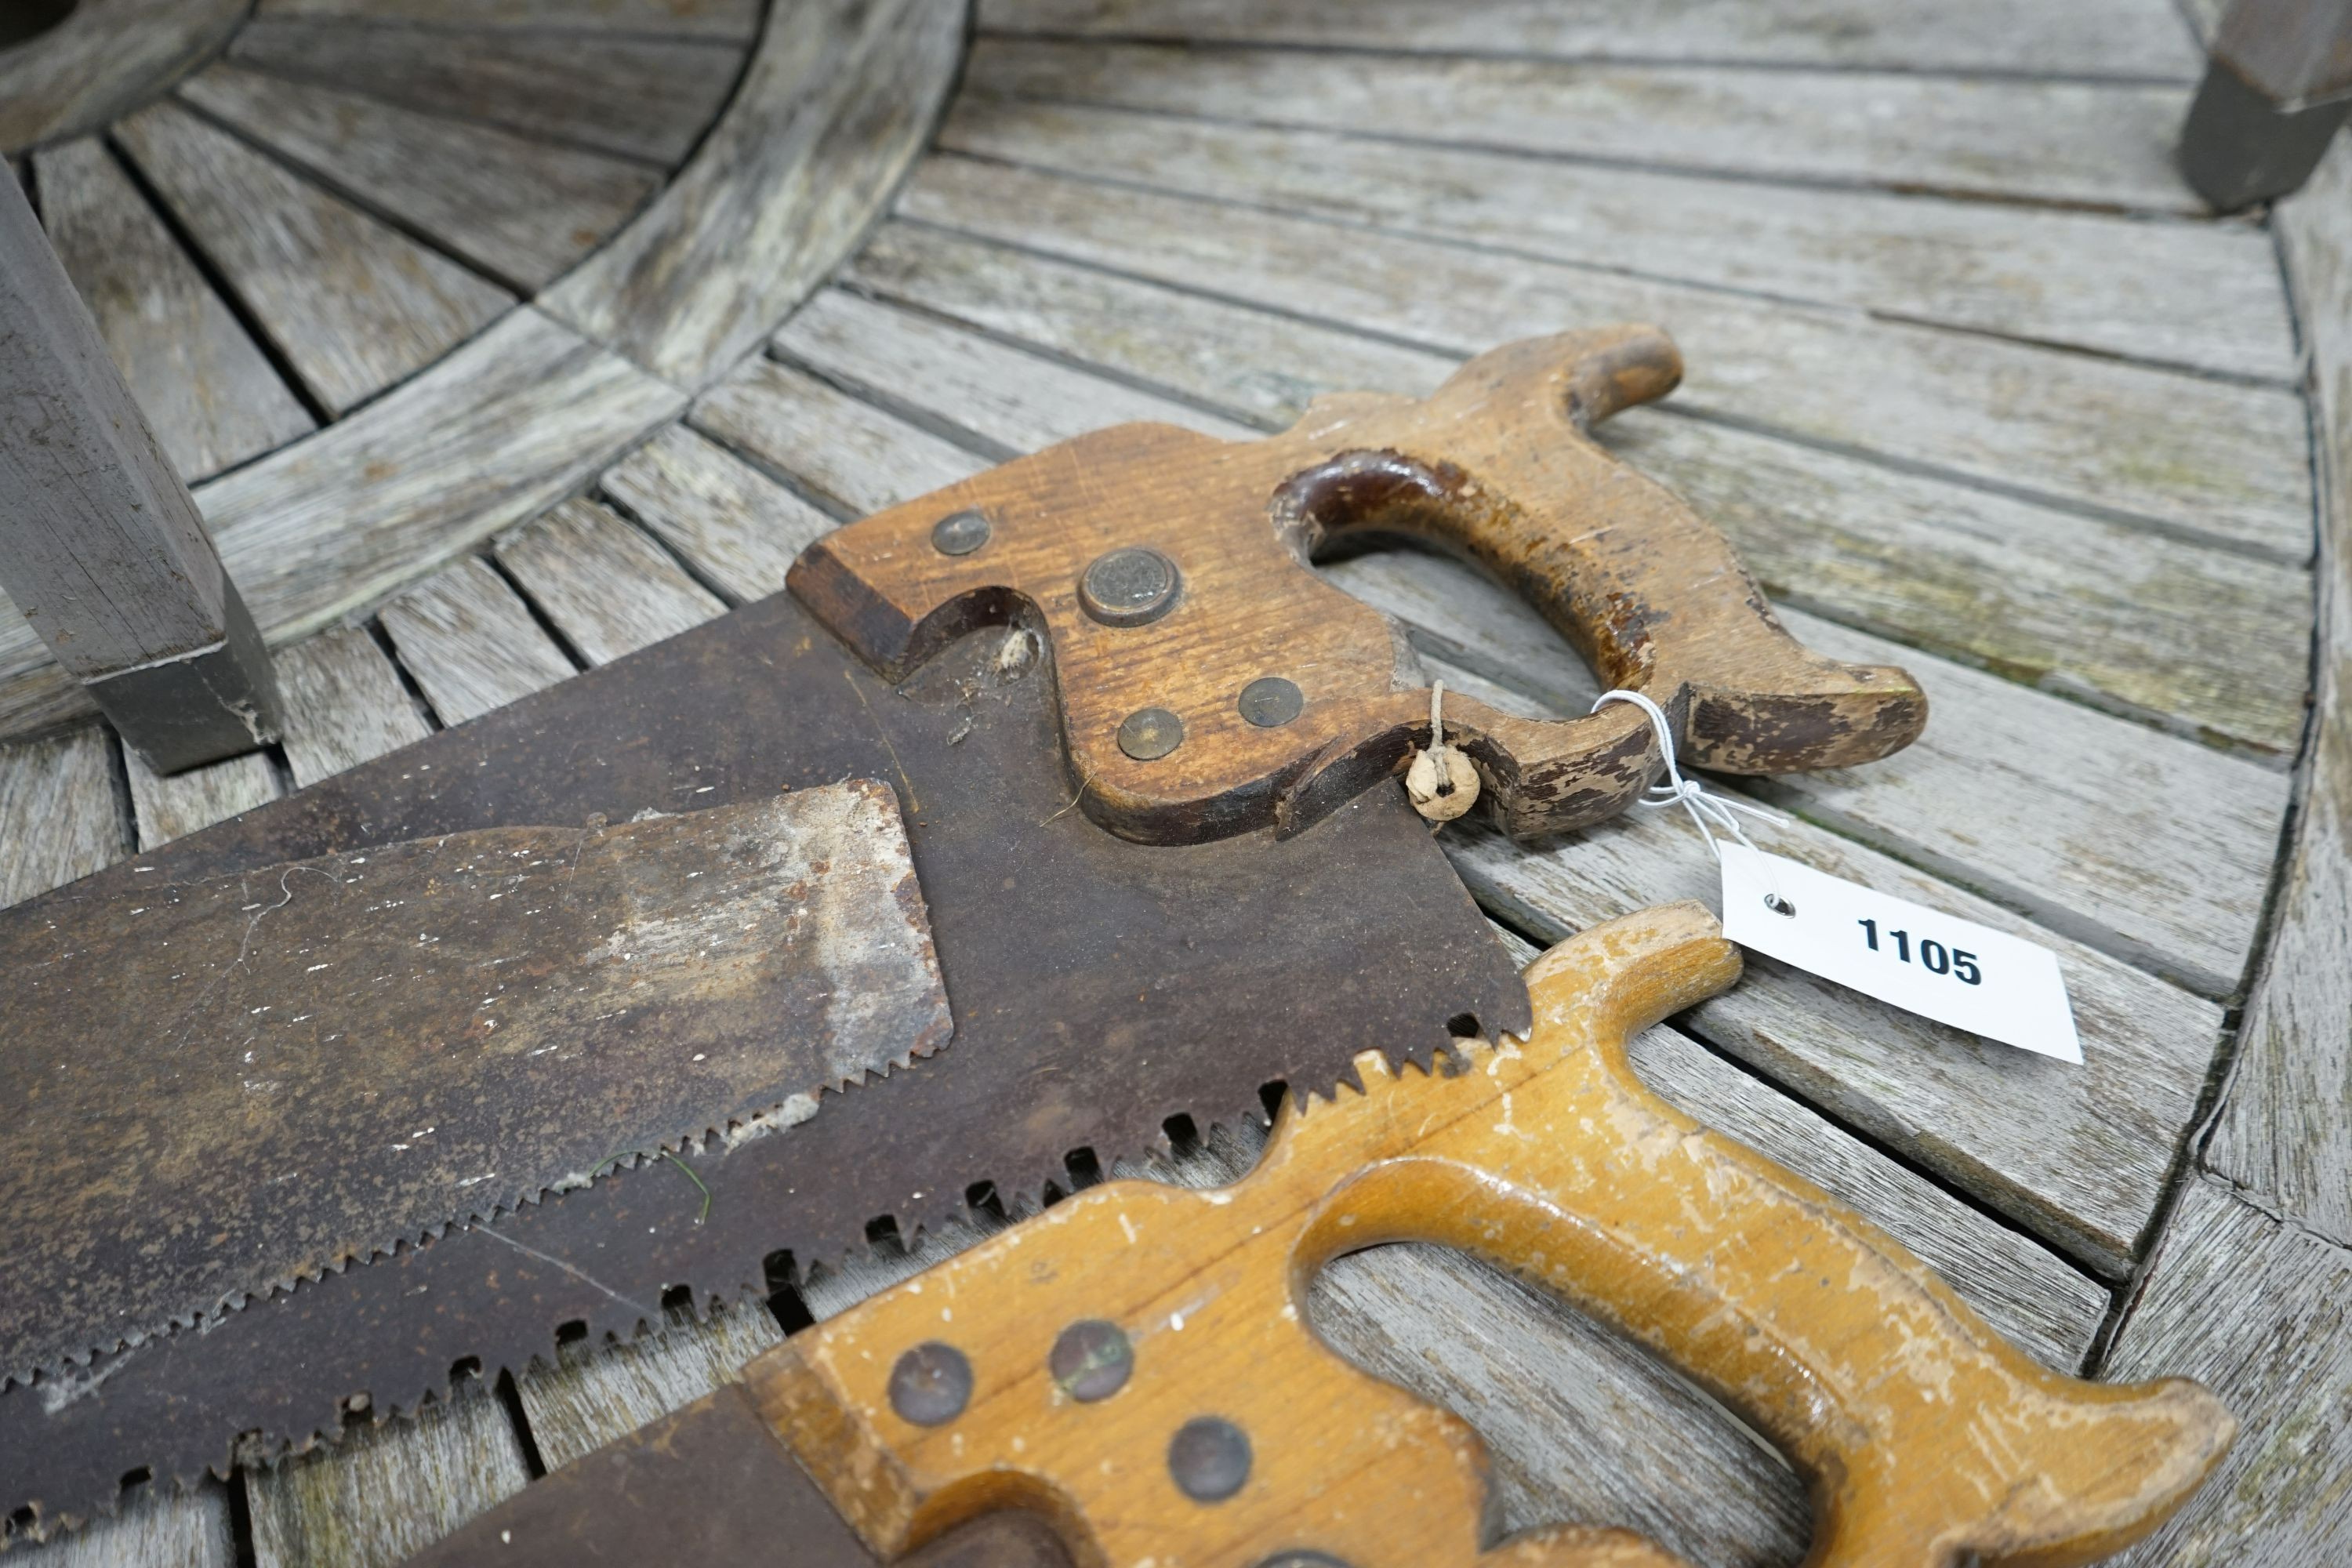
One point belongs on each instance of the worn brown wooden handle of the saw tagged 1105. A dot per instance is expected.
(1267, 695)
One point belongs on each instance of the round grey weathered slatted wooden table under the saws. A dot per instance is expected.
(502, 340)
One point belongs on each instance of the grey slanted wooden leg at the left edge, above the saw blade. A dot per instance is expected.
(100, 542)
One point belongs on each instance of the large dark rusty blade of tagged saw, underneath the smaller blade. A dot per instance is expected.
(1097, 991)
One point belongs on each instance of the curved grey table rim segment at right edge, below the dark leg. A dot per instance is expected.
(2285, 1127)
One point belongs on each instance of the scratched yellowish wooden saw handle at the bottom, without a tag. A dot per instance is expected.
(1137, 1360)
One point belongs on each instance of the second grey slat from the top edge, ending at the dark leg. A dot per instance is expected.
(2052, 142)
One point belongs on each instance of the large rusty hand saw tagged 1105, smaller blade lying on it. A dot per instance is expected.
(286, 1158)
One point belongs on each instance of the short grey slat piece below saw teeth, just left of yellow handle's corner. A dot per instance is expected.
(599, 1395)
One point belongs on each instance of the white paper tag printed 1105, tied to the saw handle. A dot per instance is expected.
(1920, 960)
